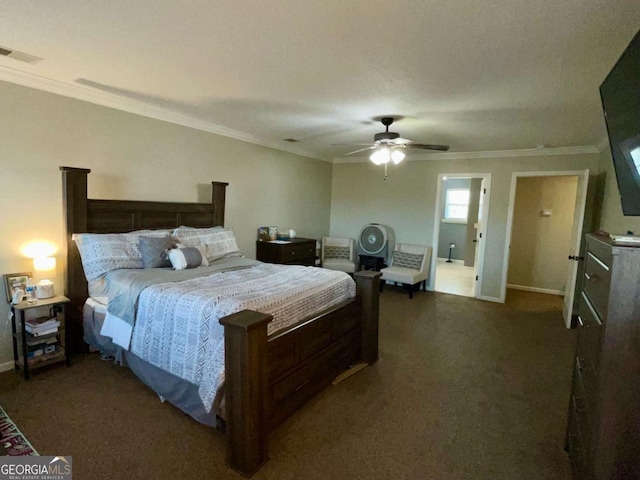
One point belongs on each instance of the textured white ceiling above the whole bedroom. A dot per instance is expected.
(478, 75)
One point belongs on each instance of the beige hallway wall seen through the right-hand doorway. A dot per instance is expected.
(540, 244)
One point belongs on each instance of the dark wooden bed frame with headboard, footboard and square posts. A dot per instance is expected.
(266, 379)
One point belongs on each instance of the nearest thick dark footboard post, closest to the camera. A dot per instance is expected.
(245, 336)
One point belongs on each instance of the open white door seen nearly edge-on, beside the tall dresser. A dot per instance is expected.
(576, 238)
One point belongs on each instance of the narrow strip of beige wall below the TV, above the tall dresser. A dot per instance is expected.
(612, 220)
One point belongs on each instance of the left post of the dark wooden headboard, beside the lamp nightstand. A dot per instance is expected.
(74, 206)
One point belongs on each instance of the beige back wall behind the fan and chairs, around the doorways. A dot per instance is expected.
(406, 200)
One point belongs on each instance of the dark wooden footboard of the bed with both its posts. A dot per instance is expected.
(266, 380)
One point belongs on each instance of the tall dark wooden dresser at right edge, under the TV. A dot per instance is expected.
(603, 432)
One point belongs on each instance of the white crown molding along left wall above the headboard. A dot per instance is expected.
(80, 92)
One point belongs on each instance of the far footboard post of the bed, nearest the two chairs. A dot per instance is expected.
(367, 288)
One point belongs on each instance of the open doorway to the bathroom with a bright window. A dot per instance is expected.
(462, 207)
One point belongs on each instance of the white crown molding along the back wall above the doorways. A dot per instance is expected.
(527, 152)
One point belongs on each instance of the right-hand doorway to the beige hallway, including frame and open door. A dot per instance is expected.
(544, 232)
